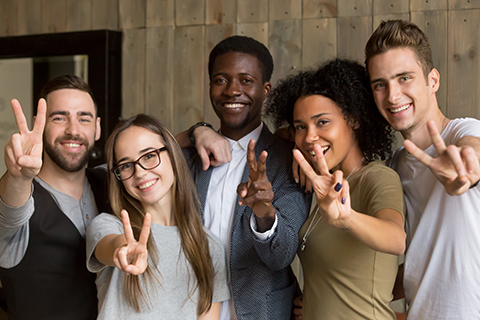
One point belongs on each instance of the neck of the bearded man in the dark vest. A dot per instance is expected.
(71, 183)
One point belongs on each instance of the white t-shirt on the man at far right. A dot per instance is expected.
(442, 261)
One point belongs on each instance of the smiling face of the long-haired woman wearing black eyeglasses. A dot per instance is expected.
(150, 187)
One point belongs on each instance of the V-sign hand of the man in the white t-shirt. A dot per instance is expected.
(456, 167)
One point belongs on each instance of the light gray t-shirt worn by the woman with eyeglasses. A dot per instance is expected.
(170, 299)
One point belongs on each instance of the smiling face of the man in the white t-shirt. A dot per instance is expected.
(402, 94)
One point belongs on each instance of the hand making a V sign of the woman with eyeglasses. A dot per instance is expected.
(132, 258)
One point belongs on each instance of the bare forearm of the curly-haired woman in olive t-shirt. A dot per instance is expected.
(384, 233)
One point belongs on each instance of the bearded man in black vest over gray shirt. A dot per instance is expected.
(48, 198)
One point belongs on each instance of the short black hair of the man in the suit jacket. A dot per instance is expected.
(246, 45)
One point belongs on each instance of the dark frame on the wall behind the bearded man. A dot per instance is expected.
(104, 50)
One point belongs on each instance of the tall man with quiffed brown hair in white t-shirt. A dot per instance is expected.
(439, 168)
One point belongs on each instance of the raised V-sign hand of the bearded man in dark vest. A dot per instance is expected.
(23, 152)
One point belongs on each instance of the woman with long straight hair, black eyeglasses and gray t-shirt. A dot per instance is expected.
(153, 257)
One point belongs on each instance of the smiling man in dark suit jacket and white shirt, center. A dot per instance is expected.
(259, 226)
